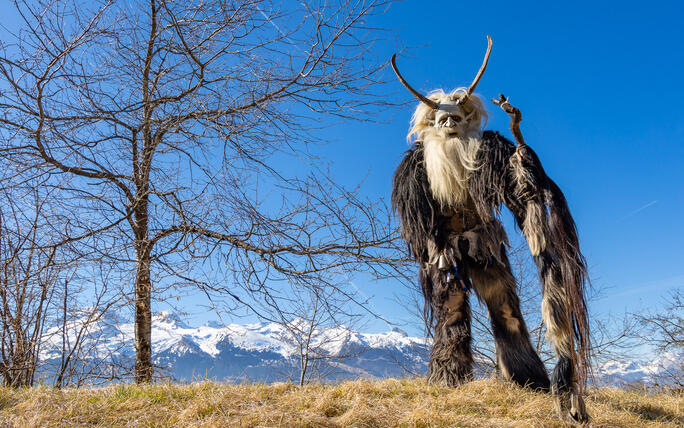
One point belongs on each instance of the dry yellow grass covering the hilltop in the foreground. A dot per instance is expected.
(386, 403)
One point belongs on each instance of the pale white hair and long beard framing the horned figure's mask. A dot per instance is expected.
(449, 160)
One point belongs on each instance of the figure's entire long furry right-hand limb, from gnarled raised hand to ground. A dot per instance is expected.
(514, 176)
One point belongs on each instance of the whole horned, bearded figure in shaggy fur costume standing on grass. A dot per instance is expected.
(448, 191)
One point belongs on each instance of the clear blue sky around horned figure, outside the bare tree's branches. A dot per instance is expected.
(600, 88)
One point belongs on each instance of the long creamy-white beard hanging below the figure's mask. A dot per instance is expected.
(449, 163)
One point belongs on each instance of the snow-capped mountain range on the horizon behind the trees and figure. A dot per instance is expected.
(269, 352)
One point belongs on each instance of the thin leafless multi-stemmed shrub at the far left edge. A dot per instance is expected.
(29, 270)
